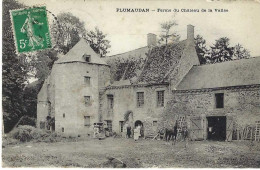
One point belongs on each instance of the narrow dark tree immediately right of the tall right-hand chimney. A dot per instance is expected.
(201, 49)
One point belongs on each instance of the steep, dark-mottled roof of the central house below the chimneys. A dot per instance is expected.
(150, 67)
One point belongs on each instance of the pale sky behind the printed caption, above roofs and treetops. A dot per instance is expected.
(127, 31)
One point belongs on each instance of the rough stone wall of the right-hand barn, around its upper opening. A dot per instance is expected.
(242, 104)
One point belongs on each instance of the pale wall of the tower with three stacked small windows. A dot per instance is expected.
(70, 92)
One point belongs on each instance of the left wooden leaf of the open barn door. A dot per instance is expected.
(196, 128)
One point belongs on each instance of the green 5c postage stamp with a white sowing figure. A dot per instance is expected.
(31, 29)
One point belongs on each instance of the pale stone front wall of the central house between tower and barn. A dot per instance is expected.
(125, 99)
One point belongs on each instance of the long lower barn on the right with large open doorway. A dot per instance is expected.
(217, 99)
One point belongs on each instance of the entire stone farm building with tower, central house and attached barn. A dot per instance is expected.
(154, 86)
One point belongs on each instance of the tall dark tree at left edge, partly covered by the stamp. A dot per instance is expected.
(14, 70)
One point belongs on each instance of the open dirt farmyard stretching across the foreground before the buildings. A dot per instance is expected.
(91, 153)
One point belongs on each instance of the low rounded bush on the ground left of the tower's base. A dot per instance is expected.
(27, 133)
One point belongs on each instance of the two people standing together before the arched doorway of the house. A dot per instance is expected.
(136, 132)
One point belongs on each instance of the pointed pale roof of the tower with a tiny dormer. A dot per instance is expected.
(77, 52)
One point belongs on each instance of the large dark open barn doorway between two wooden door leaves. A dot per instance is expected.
(216, 128)
